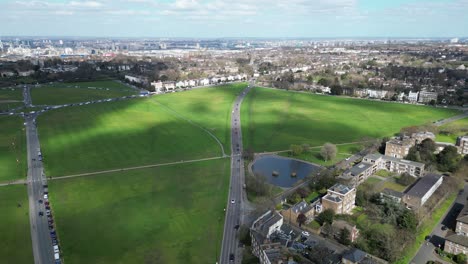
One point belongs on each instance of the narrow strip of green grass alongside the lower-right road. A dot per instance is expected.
(425, 229)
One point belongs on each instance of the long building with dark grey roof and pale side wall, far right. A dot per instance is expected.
(415, 197)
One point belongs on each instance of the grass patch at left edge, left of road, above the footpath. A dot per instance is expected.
(13, 164)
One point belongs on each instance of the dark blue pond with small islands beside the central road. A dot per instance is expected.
(282, 172)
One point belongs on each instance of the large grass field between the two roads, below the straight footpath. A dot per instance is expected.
(171, 214)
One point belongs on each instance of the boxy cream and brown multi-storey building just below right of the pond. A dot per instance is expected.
(340, 198)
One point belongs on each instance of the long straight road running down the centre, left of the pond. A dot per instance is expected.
(236, 194)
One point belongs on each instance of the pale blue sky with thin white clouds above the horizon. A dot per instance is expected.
(235, 18)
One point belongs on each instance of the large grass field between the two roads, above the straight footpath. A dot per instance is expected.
(133, 133)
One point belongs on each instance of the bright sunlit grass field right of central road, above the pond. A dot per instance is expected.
(274, 119)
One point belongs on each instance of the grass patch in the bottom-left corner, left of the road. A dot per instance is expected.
(15, 238)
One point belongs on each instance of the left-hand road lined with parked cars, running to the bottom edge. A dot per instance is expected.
(41, 240)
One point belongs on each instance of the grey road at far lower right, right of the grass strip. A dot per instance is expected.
(426, 251)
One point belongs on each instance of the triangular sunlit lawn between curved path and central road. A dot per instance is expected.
(208, 107)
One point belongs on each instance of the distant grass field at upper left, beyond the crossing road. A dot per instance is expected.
(65, 93)
